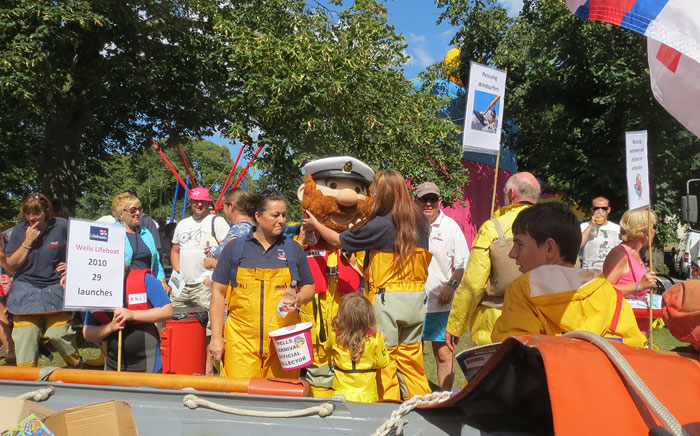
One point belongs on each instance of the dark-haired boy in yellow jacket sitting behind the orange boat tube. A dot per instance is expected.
(552, 297)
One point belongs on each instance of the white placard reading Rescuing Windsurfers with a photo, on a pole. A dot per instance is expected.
(484, 114)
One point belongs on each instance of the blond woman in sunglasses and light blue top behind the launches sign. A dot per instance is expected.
(140, 250)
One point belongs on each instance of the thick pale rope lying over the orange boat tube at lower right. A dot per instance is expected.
(667, 419)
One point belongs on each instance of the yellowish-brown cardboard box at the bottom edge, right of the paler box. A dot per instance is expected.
(109, 418)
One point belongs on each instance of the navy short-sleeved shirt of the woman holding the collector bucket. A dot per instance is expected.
(255, 256)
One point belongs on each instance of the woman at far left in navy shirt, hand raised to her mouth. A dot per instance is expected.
(36, 254)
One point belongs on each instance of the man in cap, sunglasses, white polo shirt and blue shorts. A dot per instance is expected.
(450, 252)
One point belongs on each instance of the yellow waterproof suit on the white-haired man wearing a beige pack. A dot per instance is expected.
(465, 304)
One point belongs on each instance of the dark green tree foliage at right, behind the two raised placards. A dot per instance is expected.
(574, 88)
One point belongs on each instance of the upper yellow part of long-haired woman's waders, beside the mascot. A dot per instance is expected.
(381, 277)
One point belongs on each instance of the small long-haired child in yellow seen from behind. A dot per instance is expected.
(357, 350)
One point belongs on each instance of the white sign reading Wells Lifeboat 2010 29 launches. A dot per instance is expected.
(95, 266)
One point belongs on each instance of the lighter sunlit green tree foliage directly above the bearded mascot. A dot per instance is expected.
(315, 84)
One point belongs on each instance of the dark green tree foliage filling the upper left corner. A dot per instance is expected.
(80, 80)
